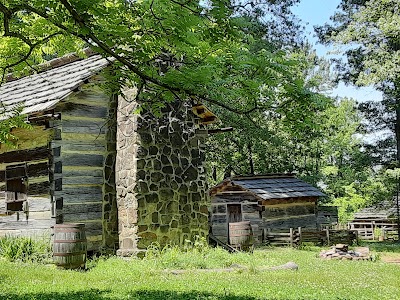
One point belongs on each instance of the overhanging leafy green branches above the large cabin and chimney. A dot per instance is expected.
(199, 50)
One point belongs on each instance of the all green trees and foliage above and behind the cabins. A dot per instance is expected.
(251, 64)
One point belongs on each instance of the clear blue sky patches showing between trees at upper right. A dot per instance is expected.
(317, 12)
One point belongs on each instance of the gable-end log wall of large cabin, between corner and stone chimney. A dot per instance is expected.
(84, 162)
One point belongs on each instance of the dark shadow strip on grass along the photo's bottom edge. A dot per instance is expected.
(105, 295)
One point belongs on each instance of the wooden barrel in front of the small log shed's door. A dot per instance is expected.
(241, 235)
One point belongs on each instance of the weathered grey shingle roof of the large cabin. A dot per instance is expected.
(42, 91)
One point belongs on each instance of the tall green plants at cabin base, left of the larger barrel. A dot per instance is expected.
(25, 249)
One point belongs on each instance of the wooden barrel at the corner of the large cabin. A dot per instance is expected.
(69, 246)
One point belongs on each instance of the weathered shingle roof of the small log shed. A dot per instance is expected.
(277, 186)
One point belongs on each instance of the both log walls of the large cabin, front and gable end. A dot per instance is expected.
(70, 175)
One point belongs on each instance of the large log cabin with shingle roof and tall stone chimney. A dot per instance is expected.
(132, 179)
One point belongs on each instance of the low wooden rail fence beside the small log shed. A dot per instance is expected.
(296, 237)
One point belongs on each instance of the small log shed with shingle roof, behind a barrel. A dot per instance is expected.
(276, 202)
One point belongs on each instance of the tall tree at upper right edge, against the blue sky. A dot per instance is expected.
(370, 31)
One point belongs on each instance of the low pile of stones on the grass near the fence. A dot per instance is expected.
(341, 251)
